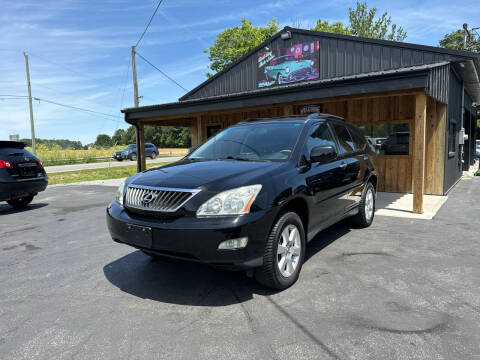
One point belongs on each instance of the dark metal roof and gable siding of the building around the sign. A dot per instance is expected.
(348, 65)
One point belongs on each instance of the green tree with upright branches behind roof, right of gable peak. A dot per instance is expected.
(363, 23)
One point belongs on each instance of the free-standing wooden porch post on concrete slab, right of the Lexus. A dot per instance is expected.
(418, 171)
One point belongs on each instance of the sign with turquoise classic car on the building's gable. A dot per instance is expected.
(294, 64)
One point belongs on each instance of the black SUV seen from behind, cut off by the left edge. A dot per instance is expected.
(21, 174)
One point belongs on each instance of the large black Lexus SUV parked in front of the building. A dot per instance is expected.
(251, 197)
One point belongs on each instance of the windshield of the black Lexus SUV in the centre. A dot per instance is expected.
(254, 142)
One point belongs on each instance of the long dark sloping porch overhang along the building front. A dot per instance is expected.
(384, 81)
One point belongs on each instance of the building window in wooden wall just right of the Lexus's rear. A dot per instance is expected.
(388, 139)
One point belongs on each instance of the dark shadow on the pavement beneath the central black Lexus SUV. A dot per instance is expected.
(189, 283)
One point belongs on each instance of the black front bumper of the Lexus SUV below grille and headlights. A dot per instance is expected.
(197, 239)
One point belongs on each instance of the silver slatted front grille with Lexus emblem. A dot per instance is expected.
(157, 199)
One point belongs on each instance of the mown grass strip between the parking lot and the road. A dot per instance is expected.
(118, 172)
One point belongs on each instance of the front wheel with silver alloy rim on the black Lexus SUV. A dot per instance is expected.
(270, 273)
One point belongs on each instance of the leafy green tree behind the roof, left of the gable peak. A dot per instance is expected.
(233, 43)
